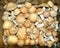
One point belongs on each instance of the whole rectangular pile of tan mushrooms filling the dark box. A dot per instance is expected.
(27, 24)
